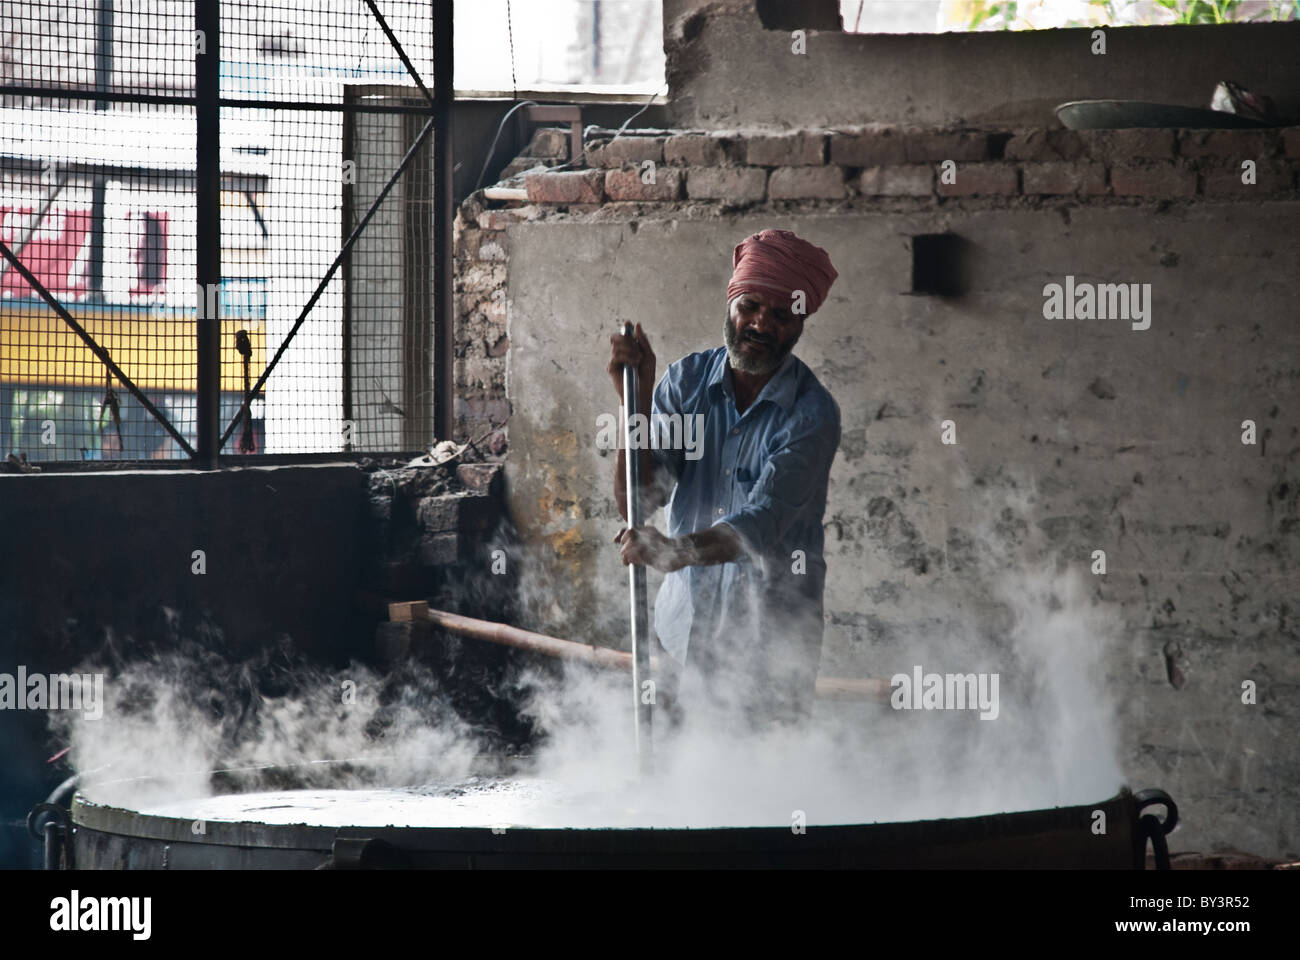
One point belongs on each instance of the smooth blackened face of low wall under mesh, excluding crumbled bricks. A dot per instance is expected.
(99, 569)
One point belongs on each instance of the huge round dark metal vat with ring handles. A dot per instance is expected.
(111, 837)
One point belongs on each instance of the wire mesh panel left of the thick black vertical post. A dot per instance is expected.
(103, 227)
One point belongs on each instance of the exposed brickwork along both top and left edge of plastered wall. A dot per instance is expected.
(671, 174)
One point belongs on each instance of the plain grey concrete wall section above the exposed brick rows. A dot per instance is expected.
(717, 50)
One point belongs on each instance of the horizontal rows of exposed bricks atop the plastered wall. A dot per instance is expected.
(739, 170)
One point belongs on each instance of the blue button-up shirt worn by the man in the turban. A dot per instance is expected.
(765, 474)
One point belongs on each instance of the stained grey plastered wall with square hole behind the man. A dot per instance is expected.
(1130, 439)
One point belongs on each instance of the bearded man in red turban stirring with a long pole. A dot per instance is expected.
(740, 608)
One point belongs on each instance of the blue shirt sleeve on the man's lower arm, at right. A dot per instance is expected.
(792, 482)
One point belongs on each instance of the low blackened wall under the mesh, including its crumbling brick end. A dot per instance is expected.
(301, 564)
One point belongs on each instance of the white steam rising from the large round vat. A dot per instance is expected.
(174, 720)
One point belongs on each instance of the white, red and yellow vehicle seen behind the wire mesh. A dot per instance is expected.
(115, 247)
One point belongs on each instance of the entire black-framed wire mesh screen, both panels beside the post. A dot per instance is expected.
(326, 189)
